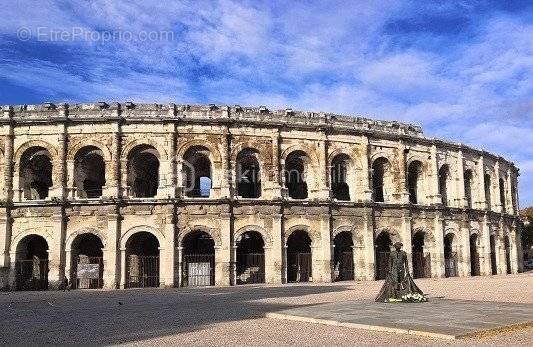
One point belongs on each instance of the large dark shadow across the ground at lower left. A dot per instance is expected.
(110, 317)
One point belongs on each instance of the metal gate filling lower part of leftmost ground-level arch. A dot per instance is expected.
(31, 274)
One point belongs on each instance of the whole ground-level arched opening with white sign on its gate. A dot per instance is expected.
(87, 267)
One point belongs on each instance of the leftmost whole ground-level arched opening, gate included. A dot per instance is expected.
(31, 263)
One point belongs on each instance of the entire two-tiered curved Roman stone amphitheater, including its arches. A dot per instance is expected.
(120, 195)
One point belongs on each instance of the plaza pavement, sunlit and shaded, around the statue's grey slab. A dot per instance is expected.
(230, 316)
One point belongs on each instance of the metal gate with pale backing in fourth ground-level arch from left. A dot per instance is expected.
(198, 270)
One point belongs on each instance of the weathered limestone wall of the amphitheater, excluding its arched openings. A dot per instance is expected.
(171, 130)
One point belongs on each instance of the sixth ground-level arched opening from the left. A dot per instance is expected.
(299, 258)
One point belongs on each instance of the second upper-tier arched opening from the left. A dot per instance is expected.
(89, 172)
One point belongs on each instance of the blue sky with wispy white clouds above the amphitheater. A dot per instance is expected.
(463, 70)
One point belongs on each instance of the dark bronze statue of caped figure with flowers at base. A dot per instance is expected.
(399, 283)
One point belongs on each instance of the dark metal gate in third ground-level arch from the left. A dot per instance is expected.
(142, 271)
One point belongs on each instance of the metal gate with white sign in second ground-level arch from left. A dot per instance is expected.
(80, 280)
